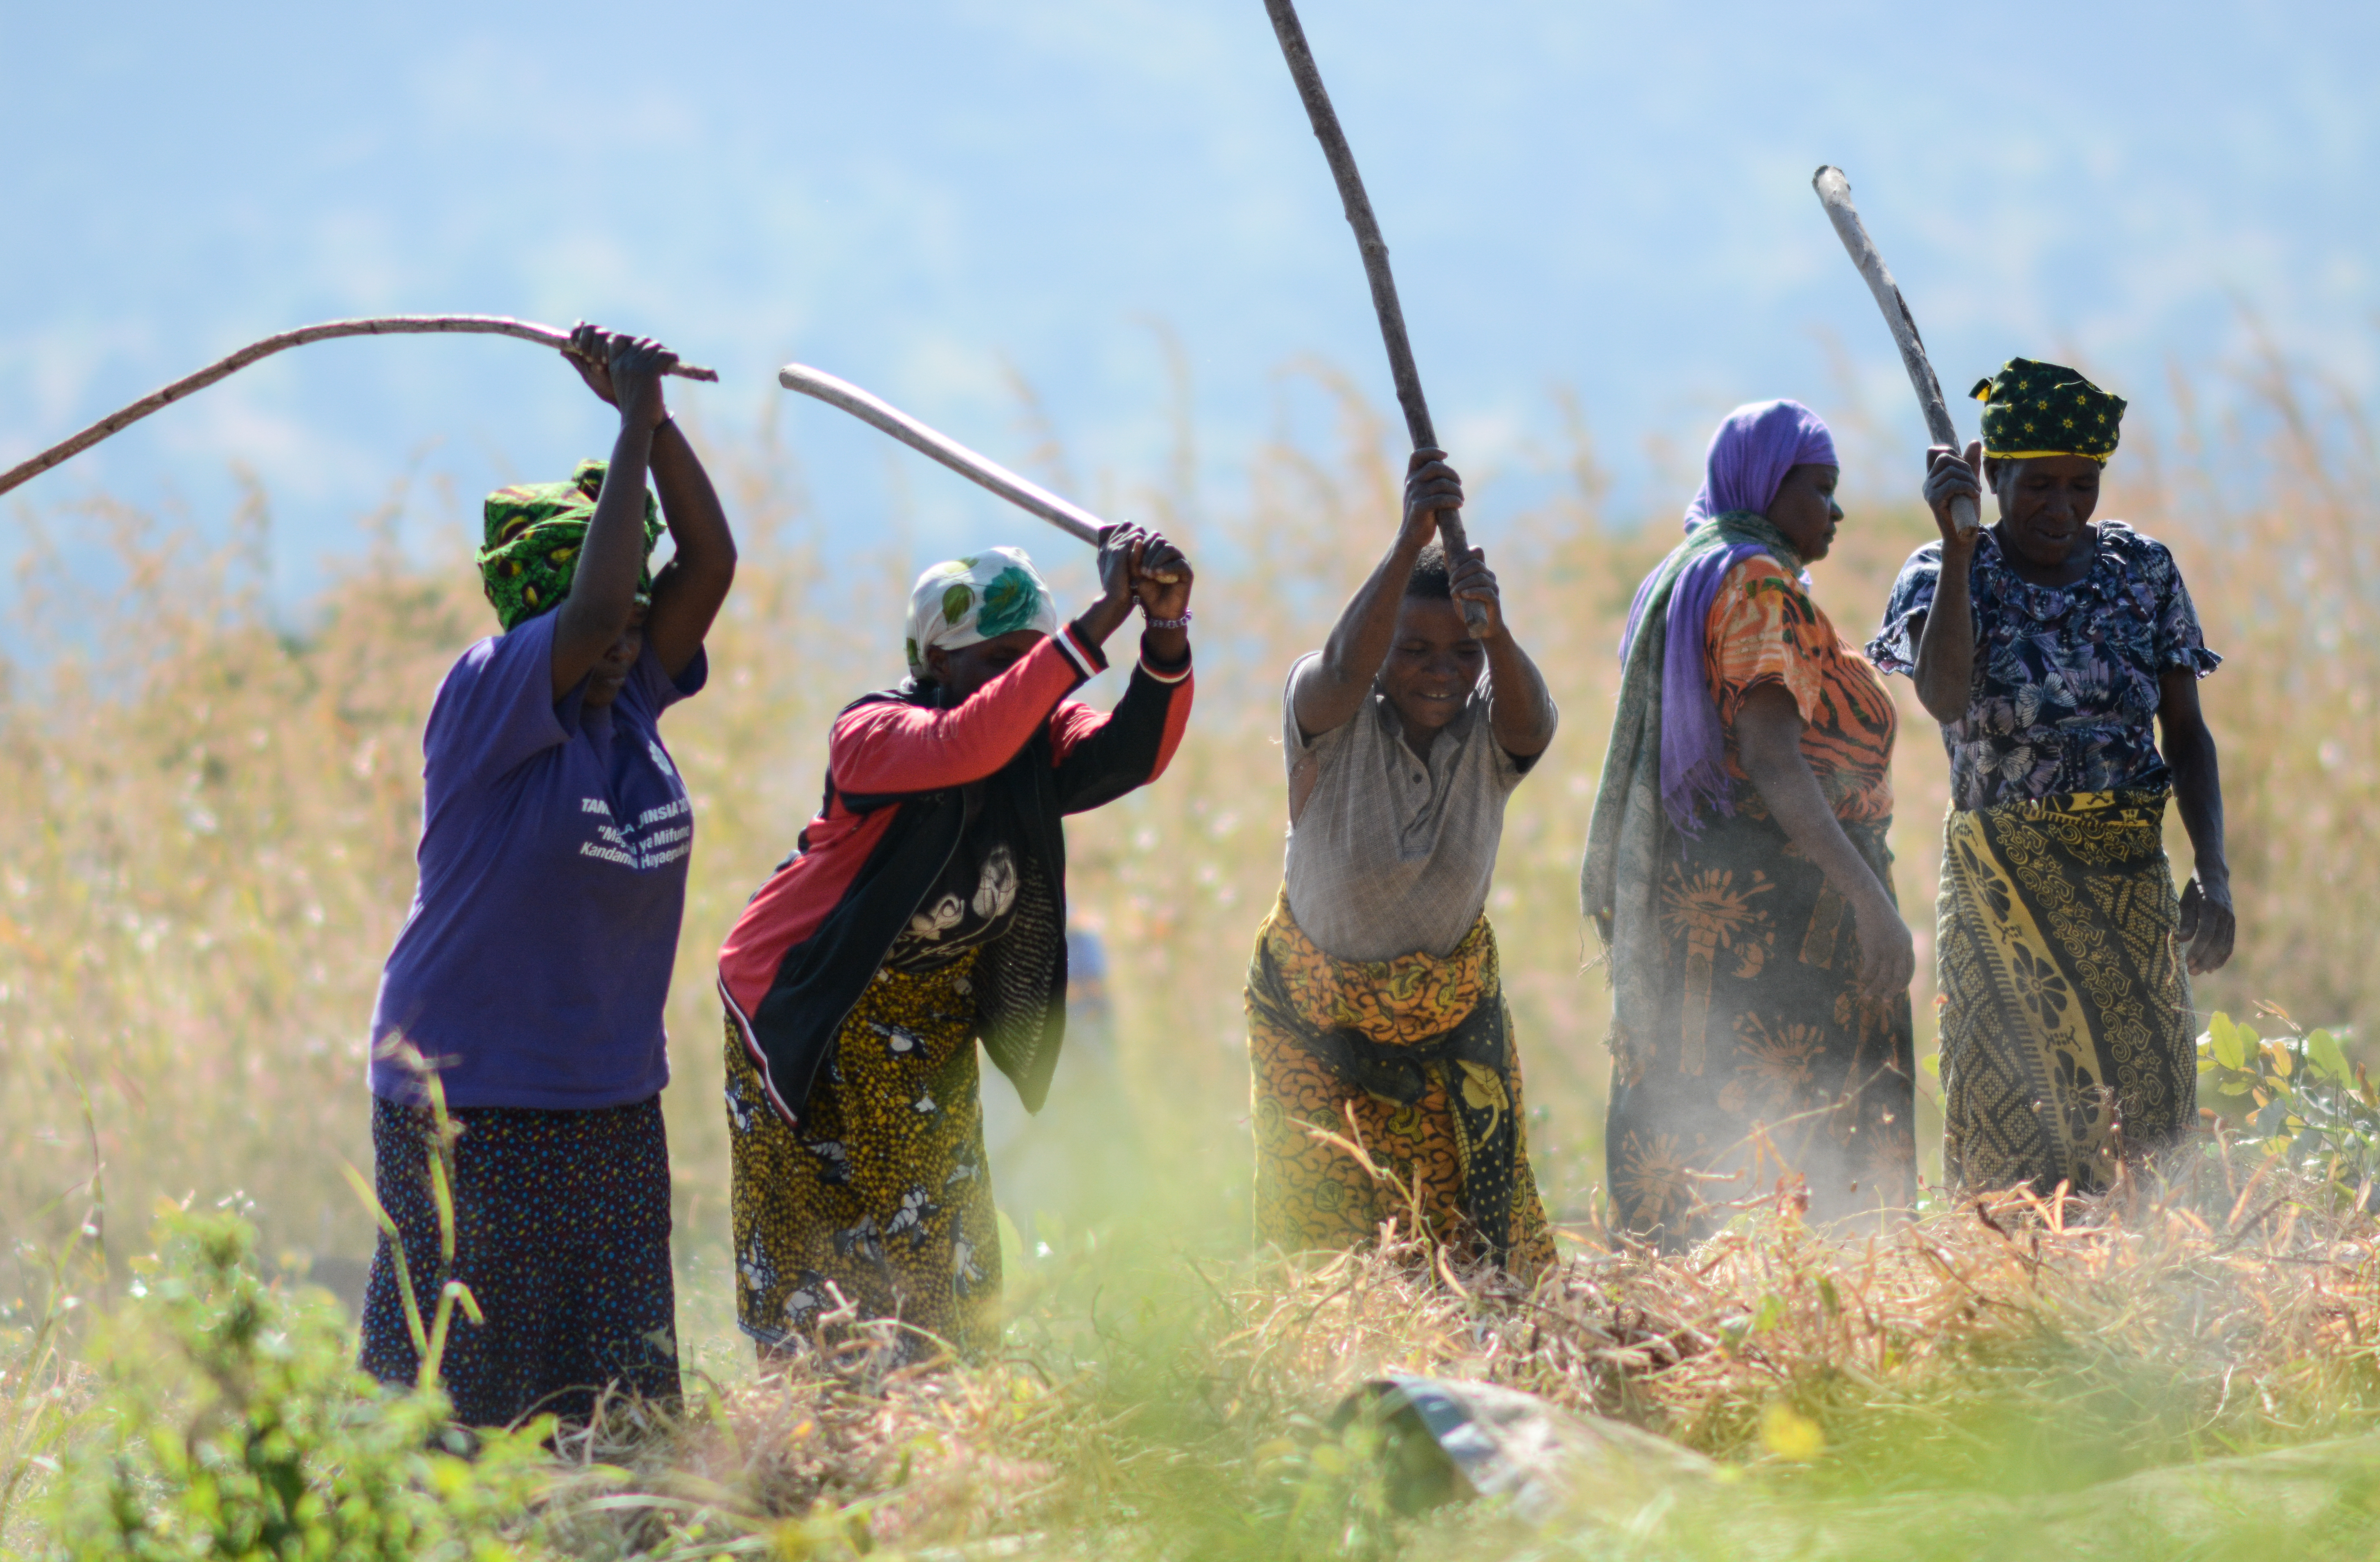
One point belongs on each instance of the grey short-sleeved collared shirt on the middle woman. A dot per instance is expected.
(1393, 854)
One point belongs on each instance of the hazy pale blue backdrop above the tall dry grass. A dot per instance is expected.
(929, 194)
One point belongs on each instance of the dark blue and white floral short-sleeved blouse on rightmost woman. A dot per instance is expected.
(2065, 694)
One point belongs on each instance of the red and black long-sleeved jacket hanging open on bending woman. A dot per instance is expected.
(901, 777)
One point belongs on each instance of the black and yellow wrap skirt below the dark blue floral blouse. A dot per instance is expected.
(2067, 1030)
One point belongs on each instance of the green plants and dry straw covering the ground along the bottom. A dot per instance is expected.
(2181, 1370)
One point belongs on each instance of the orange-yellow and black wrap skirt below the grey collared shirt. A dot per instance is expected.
(1324, 1042)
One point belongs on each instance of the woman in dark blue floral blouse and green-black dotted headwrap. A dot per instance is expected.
(2050, 649)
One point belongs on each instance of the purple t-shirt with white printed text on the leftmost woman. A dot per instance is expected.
(553, 877)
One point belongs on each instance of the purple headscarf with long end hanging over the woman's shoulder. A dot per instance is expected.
(1748, 463)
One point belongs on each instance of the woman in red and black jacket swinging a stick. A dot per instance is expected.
(925, 908)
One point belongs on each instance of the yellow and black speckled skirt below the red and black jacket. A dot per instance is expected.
(882, 1199)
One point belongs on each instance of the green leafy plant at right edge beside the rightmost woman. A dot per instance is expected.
(2305, 1104)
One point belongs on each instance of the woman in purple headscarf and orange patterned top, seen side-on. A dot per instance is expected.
(1739, 870)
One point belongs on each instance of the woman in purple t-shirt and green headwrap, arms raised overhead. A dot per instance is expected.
(532, 970)
